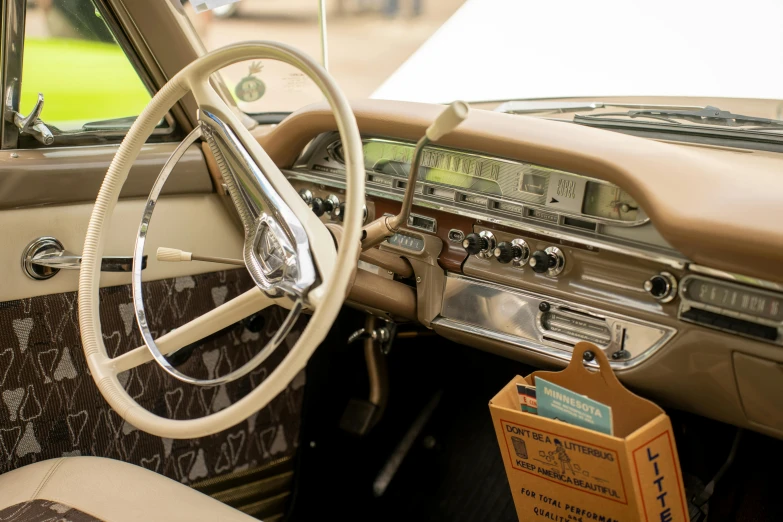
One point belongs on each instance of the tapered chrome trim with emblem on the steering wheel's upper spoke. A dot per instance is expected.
(262, 212)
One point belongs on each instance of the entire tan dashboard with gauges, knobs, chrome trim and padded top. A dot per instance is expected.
(526, 250)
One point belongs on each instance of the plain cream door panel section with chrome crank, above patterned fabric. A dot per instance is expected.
(198, 224)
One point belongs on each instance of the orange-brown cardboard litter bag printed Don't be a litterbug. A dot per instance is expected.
(562, 472)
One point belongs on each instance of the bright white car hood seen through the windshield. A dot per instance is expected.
(521, 49)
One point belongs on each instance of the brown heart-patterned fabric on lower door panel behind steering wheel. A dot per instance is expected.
(50, 407)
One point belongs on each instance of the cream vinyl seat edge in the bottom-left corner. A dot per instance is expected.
(103, 489)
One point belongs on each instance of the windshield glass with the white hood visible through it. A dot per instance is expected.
(643, 54)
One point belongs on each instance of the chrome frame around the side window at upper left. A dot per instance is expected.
(12, 58)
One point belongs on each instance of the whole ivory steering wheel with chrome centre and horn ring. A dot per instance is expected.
(289, 253)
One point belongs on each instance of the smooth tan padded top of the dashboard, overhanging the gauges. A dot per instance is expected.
(699, 214)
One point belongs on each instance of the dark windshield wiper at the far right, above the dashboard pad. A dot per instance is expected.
(706, 116)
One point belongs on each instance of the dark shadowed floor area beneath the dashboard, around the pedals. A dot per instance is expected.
(453, 471)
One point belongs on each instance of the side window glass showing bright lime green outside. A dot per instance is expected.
(72, 57)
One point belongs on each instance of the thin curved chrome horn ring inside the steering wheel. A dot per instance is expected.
(138, 296)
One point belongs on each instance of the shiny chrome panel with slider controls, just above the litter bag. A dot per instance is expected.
(513, 316)
